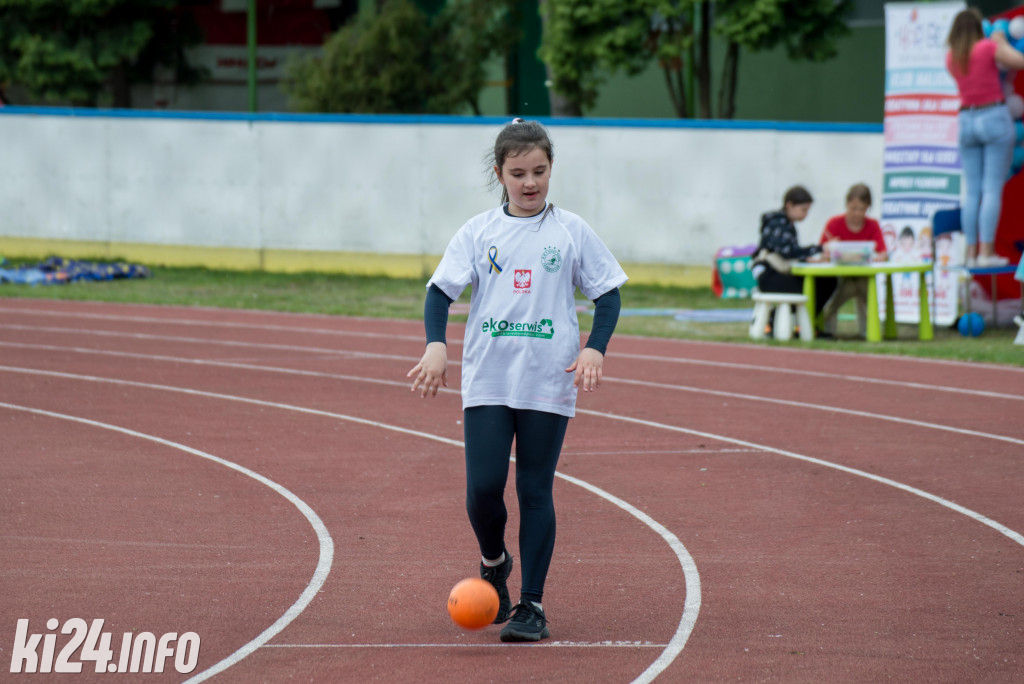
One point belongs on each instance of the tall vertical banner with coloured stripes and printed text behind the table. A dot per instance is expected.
(922, 158)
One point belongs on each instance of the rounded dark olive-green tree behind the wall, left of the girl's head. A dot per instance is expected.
(401, 61)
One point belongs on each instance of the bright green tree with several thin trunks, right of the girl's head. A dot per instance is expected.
(587, 40)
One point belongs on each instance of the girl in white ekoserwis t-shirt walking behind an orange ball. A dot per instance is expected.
(522, 360)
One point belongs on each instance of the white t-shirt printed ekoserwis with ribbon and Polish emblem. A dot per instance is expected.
(523, 331)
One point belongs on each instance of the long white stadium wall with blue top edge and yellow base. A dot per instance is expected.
(386, 194)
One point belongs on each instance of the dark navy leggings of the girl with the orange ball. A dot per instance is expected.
(539, 439)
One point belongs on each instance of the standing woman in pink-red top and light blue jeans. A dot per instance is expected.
(987, 131)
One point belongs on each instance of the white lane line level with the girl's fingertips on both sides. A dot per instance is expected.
(396, 383)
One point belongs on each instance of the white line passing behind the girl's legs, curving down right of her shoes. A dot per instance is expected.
(692, 603)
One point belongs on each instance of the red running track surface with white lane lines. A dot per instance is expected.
(726, 512)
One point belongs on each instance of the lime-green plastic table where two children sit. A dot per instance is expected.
(874, 333)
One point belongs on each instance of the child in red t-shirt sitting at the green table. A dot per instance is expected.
(852, 226)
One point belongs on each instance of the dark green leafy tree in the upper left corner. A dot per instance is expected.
(73, 51)
